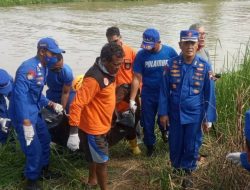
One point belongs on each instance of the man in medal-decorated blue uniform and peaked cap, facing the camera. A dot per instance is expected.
(187, 102)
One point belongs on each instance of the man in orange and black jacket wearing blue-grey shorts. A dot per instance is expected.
(91, 111)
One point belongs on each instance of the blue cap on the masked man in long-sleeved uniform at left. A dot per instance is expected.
(49, 44)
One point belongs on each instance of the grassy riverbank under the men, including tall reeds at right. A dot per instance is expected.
(127, 172)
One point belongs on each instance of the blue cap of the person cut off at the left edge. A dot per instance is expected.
(5, 83)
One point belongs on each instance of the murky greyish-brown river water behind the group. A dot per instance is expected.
(80, 28)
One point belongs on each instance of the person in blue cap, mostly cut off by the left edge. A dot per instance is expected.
(5, 90)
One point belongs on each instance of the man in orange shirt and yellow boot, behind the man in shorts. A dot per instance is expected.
(123, 83)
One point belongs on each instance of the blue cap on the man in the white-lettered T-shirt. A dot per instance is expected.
(150, 37)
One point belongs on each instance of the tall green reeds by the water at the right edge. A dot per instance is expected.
(233, 95)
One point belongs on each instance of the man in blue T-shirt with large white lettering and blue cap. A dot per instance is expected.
(148, 69)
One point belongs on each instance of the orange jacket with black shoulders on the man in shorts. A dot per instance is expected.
(94, 103)
